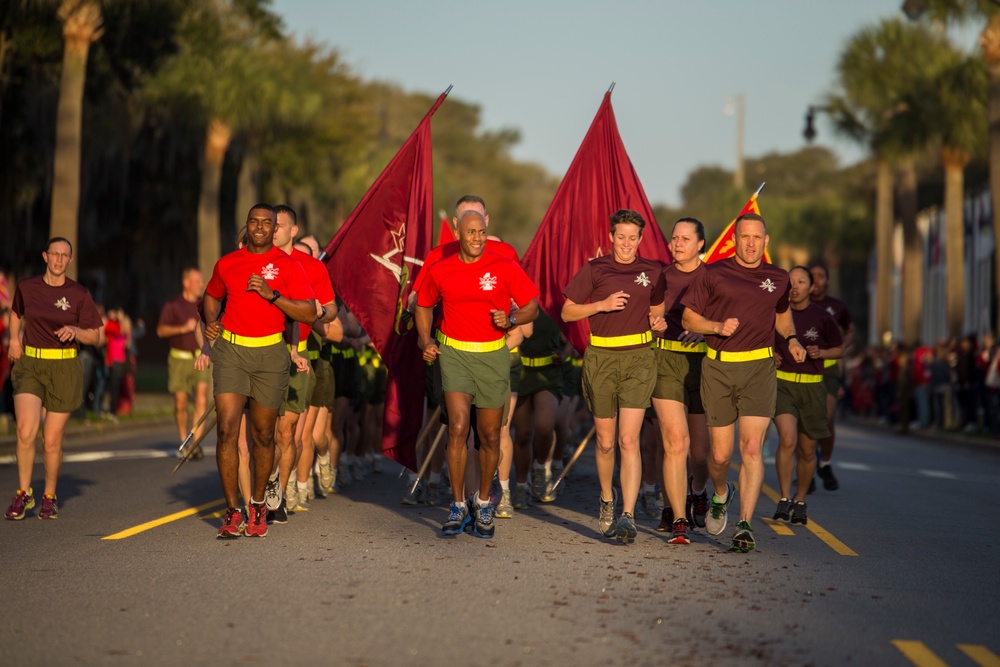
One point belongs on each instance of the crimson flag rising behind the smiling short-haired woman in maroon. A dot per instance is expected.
(600, 180)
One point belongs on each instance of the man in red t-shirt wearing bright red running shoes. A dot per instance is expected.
(261, 285)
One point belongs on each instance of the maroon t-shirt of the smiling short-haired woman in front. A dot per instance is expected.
(599, 278)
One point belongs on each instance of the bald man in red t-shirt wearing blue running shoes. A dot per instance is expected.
(475, 289)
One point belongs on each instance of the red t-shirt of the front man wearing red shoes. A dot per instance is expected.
(247, 314)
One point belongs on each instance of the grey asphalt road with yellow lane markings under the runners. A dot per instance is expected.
(898, 567)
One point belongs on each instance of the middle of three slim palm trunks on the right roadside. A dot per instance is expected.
(913, 251)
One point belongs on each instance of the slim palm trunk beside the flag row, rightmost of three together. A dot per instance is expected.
(954, 162)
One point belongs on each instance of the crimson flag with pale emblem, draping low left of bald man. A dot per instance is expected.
(372, 261)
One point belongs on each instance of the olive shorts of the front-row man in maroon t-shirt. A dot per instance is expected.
(731, 389)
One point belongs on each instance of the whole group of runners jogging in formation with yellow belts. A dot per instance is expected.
(708, 353)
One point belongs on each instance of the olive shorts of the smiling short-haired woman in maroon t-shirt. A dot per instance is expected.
(614, 379)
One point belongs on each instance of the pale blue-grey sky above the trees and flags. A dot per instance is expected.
(542, 67)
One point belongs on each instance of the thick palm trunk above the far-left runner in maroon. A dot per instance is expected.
(81, 26)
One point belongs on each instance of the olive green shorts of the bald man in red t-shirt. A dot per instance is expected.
(484, 375)
